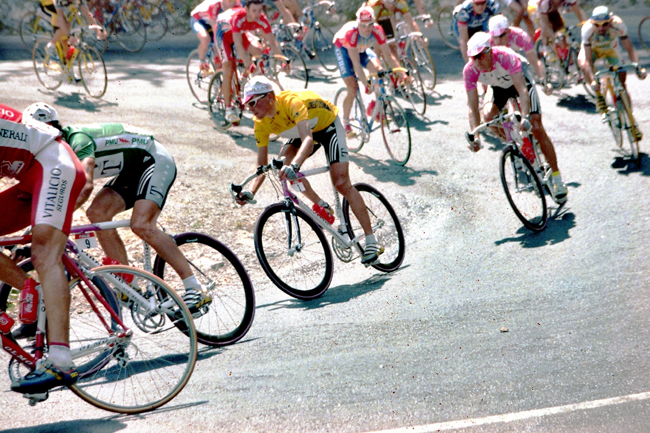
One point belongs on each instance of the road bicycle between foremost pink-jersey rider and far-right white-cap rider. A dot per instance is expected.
(561, 62)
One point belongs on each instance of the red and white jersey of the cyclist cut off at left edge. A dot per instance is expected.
(19, 143)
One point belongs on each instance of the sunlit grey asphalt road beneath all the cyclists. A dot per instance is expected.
(422, 347)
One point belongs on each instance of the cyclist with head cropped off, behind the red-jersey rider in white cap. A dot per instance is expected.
(204, 21)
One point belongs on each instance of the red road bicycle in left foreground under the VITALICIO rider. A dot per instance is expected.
(128, 361)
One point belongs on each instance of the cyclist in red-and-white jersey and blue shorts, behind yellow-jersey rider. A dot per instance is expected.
(353, 43)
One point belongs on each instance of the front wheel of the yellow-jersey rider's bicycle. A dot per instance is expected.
(293, 273)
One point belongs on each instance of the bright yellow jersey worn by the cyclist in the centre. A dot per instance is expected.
(292, 107)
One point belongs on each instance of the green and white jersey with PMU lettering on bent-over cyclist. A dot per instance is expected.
(113, 145)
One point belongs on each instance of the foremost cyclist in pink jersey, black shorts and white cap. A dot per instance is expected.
(501, 68)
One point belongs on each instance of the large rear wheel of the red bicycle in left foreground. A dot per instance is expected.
(152, 363)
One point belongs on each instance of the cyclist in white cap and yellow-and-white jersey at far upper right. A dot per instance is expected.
(602, 37)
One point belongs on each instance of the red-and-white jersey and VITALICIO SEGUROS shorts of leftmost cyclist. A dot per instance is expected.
(50, 175)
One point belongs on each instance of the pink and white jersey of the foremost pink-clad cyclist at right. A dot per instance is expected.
(505, 63)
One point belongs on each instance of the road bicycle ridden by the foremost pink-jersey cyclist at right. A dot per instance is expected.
(525, 181)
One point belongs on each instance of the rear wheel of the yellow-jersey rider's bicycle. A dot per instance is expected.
(386, 227)
